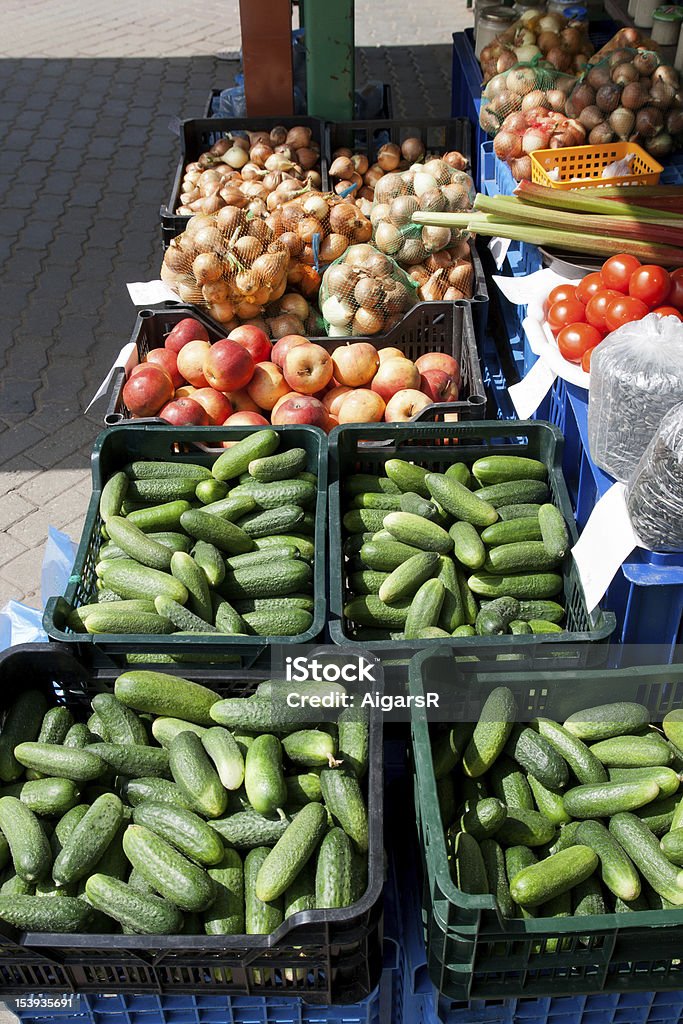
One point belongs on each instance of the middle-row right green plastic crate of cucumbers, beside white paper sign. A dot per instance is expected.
(365, 449)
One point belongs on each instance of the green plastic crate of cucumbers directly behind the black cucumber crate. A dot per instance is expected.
(126, 443)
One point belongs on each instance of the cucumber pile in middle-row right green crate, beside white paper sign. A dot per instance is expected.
(473, 551)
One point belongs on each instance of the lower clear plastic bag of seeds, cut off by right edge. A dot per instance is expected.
(655, 494)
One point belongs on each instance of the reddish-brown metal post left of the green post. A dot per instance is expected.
(267, 57)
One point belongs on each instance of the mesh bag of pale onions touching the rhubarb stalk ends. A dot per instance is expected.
(435, 187)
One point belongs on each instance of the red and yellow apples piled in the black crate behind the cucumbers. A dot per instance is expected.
(246, 379)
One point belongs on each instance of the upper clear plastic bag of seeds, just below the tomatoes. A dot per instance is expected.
(636, 378)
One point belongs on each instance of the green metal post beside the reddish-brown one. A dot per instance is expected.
(330, 59)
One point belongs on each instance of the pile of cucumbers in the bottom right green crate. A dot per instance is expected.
(584, 818)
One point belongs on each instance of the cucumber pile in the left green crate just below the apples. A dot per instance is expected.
(225, 550)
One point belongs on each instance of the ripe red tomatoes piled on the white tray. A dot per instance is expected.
(625, 290)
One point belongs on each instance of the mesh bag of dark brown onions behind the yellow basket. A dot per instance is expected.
(630, 96)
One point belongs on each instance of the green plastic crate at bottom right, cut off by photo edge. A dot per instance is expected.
(473, 952)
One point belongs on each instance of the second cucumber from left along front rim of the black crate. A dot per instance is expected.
(142, 914)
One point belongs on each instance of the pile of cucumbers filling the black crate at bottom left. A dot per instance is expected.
(175, 812)
